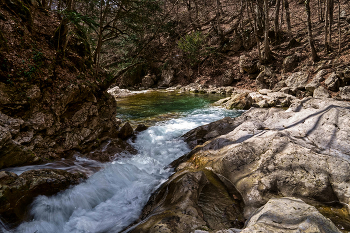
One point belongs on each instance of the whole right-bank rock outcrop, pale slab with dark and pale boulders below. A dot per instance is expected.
(302, 152)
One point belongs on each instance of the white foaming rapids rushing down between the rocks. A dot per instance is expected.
(113, 198)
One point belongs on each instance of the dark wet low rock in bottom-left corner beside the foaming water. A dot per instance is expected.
(17, 192)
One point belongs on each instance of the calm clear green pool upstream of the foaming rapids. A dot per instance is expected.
(155, 106)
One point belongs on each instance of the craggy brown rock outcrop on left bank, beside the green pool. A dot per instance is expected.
(50, 123)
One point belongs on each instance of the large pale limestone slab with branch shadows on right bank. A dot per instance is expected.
(268, 152)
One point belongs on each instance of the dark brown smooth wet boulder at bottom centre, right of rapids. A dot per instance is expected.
(190, 201)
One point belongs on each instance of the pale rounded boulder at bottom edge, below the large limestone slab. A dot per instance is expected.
(288, 215)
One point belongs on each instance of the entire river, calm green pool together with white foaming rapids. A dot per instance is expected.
(112, 198)
